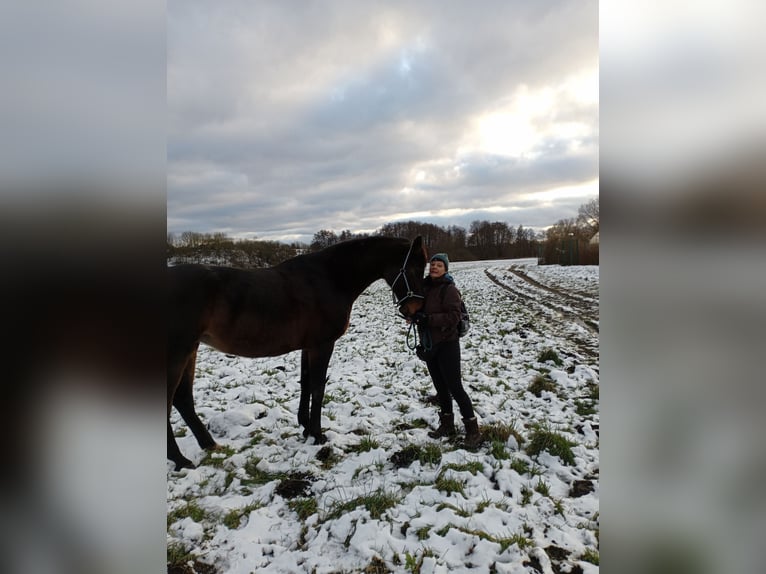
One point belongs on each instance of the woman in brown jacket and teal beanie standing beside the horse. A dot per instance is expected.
(440, 349)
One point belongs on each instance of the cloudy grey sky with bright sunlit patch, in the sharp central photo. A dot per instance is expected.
(288, 118)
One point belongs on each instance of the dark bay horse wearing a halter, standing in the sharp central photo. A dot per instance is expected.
(302, 303)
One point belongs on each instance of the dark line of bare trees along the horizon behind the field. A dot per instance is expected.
(567, 242)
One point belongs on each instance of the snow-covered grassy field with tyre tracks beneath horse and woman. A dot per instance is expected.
(381, 496)
